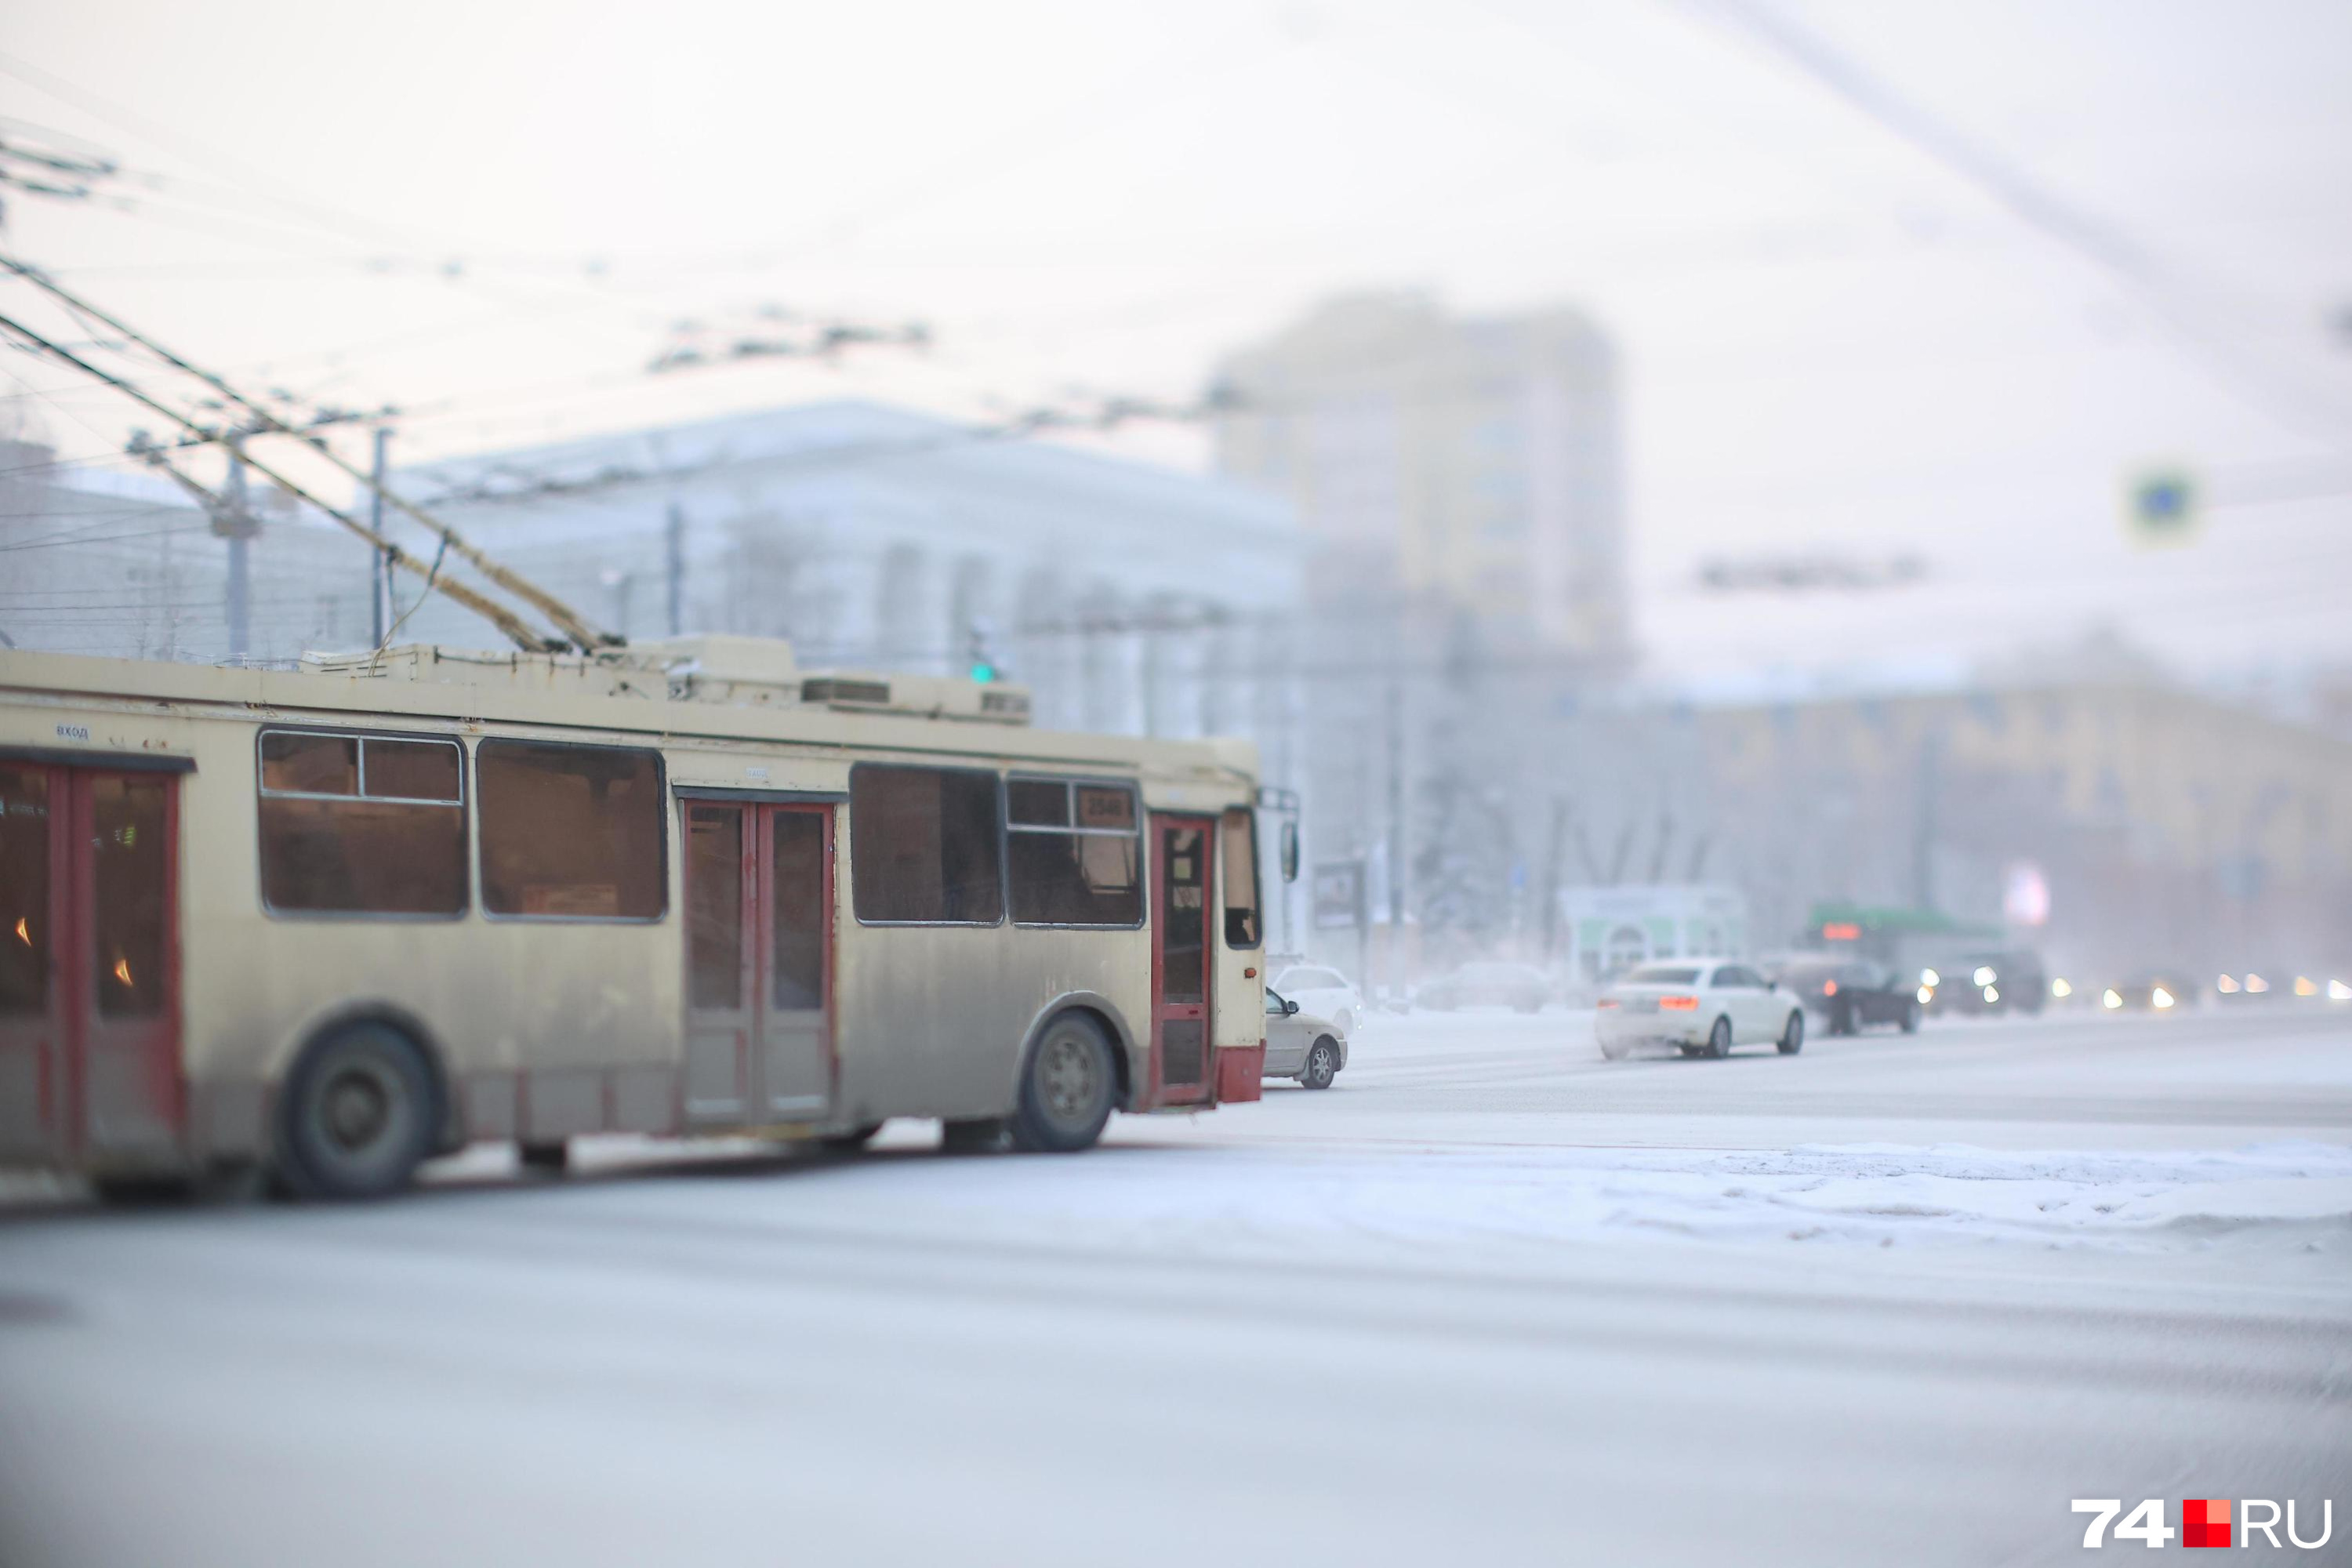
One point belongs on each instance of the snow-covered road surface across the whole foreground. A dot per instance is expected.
(1488, 1301)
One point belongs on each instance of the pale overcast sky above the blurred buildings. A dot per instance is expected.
(1831, 337)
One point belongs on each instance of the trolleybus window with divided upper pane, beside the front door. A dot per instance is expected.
(1074, 852)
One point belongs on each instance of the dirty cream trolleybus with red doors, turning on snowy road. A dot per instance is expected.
(342, 918)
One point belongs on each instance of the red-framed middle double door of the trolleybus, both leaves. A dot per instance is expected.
(759, 963)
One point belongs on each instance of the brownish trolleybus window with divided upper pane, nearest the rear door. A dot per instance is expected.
(361, 826)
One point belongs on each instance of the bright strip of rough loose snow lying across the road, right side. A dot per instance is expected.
(1342, 1198)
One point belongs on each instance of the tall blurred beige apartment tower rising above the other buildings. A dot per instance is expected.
(1462, 483)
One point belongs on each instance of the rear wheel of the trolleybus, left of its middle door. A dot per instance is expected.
(359, 1113)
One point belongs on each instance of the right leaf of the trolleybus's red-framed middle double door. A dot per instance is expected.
(796, 963)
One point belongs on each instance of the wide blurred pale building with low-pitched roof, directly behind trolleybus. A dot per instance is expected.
(1128, 598)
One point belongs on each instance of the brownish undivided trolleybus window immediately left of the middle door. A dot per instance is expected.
(570, 831)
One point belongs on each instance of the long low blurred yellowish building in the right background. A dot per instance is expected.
(2156, 826)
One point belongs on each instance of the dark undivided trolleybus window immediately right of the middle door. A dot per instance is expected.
(923, 847)
